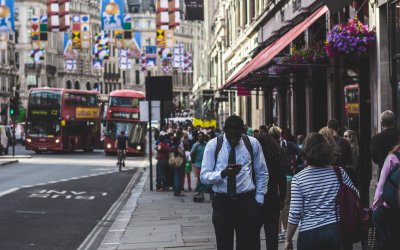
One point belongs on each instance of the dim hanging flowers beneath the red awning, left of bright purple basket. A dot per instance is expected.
(314, 54)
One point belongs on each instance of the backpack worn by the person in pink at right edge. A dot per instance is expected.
(391, 189)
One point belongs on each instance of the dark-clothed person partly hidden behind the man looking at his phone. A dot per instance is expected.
(275, 197)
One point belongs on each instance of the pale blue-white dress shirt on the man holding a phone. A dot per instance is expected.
(244, 180)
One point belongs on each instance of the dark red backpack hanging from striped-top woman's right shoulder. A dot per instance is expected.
(352, 218)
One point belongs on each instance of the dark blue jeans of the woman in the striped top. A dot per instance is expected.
(325, 237)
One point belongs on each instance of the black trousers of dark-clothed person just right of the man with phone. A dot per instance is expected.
(269, 218)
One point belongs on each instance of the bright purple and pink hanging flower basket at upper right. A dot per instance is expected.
(351, 40)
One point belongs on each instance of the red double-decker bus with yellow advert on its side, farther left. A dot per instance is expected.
(63, 120)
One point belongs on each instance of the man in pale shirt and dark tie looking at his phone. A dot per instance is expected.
(239, 181)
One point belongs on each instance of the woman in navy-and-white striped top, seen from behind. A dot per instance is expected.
(312, 206)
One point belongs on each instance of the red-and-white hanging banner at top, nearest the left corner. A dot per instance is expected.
(58, 13)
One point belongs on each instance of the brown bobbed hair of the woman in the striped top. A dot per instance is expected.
(317, 151)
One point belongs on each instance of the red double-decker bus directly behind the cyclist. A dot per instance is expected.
(123, 114)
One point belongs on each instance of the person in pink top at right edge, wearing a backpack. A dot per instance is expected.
(386, 219)
